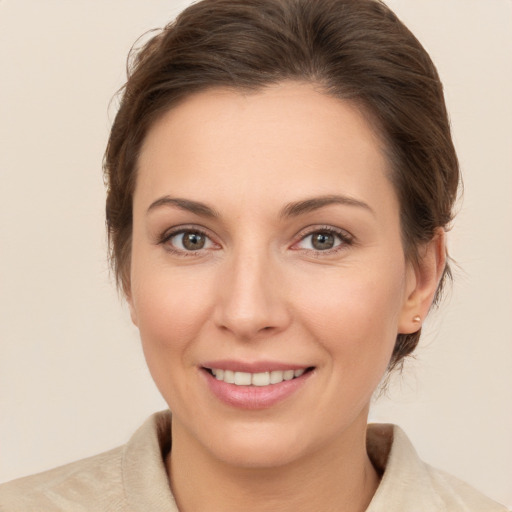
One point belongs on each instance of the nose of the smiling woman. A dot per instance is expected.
(251, 298)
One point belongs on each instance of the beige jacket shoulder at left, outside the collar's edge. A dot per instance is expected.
(95, 483)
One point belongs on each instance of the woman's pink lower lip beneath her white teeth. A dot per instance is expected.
(254, 397)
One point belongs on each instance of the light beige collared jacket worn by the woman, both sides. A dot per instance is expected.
(133, 478)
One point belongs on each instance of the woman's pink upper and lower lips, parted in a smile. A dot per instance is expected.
(253, 397)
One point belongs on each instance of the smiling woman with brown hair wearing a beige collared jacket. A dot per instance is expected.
(280, 178)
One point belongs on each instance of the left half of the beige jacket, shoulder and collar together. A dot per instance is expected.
(129, 478)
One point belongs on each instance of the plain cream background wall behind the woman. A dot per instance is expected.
(73, 380)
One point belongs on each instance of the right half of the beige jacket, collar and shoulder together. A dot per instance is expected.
(410, 484)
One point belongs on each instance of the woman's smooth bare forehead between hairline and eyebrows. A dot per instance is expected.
(284, 139)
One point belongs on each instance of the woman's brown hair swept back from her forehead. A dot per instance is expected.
(353, 49)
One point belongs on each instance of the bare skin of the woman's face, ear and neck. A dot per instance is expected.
(259, 291)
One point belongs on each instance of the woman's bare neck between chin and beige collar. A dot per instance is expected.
(334, 478)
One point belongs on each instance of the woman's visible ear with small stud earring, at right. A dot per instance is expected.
(421, 283)
